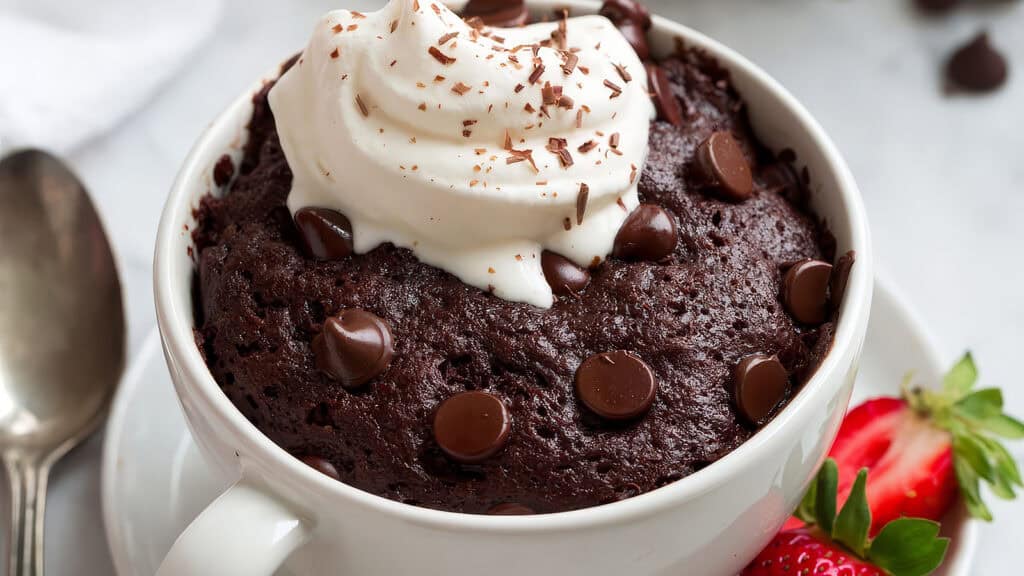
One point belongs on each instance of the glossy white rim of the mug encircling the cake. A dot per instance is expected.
(177, 323)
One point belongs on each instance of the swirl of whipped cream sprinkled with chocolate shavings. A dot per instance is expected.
(477, 148)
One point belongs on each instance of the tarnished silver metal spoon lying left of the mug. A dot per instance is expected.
(62, 335)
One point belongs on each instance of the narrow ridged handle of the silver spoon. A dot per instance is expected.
(28, 508)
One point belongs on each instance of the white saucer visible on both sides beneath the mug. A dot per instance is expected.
(155, 481)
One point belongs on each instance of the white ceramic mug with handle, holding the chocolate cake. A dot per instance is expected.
(282, 515)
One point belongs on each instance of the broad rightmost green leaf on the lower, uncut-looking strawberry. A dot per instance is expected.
(909, 547)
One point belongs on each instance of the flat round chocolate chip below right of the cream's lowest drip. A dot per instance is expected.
(616, 386)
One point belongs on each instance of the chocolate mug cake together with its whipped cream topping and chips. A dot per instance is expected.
(508, 270)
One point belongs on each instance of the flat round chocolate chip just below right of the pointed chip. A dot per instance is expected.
(472, 427)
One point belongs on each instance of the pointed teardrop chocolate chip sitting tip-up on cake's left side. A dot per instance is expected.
(354, 347)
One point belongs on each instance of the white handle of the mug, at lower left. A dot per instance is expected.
(244, 532)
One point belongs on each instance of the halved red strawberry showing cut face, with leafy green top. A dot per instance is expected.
(923, 449)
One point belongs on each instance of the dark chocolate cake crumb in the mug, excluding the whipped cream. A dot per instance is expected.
(700, 323)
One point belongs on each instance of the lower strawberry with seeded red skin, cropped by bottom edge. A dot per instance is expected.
(839, 545)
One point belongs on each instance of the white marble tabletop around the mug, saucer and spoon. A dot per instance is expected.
(942, 178)
